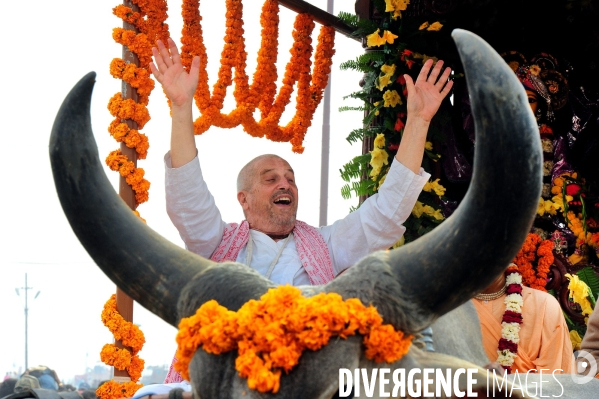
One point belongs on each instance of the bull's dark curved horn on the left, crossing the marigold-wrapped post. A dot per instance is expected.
(143, 264)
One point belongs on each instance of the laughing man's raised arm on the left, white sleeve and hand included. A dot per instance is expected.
(189, 204)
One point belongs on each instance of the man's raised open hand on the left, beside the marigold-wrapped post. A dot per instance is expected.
(178, 85)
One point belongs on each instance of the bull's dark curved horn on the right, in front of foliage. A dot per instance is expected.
(462, 256)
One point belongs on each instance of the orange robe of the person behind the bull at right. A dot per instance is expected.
(544, 337)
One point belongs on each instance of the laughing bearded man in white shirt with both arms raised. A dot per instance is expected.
(270, 239)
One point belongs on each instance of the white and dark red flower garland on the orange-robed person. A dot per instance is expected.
(507, 350)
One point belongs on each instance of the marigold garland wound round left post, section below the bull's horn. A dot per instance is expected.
(130, 336)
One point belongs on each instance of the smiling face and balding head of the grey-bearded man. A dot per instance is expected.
(270, 202)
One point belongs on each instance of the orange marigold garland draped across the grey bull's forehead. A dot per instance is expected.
(270, 334)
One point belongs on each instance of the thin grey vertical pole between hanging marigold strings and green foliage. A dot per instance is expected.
(326, 139)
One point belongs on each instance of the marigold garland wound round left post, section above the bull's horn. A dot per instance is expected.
(150, 22)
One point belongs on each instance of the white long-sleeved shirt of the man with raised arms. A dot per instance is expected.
(376, 225)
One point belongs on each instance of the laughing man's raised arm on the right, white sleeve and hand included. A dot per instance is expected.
(378, 223)
